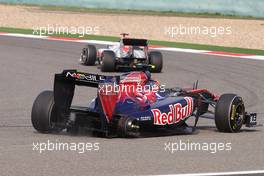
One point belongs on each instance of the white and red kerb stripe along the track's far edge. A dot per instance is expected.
(225, 54)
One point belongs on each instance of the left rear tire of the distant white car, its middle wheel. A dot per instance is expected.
(109, 61)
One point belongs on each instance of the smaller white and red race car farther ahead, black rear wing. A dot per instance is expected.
(129, 54)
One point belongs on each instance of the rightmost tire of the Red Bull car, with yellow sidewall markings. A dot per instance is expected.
(229, 113)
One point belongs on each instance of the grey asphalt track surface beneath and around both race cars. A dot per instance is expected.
(27, 68)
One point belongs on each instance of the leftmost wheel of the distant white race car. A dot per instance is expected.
(89, 55)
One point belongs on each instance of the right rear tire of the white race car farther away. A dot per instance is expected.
(156, 60)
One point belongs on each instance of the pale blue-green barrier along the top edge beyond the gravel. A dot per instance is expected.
(253, 8)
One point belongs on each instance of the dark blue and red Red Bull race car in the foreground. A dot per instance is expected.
(130, 104)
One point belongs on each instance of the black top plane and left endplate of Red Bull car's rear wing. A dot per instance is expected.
(64, 86)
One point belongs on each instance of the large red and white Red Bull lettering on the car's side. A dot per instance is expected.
(176, 113)
